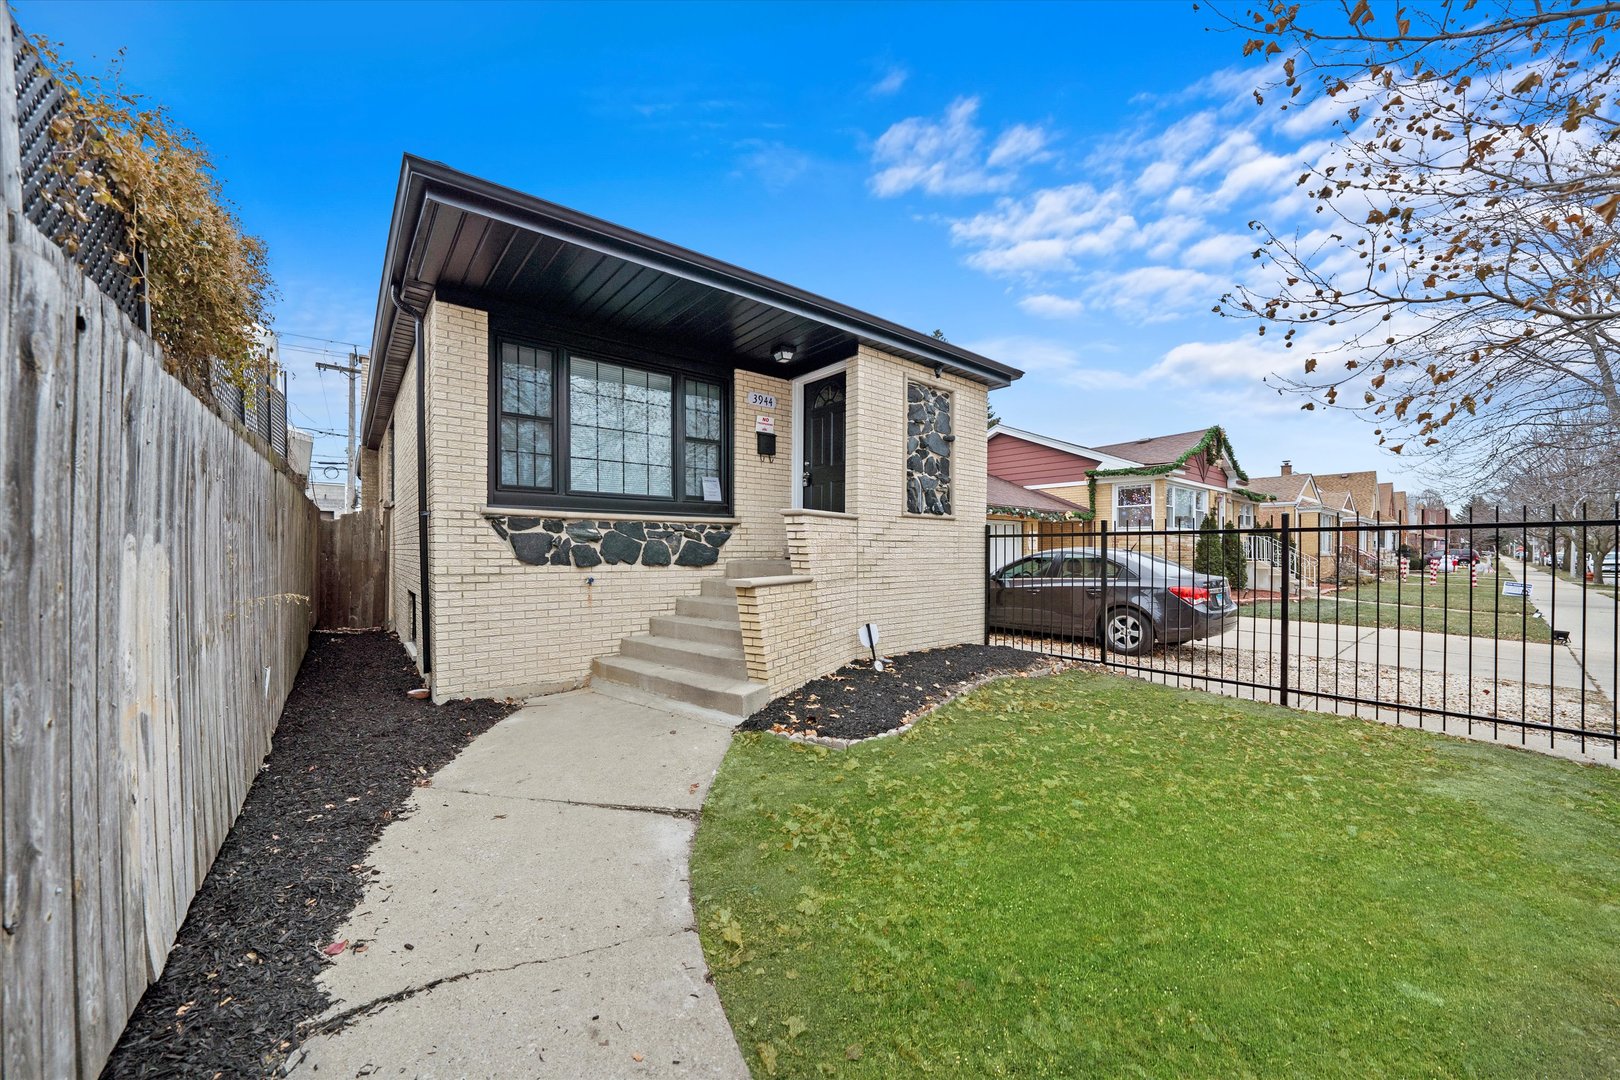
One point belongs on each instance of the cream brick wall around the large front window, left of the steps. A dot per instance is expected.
(505, 629)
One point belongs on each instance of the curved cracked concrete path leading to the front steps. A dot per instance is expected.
(532, 916)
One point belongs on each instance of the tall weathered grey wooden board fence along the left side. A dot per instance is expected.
(158, 577)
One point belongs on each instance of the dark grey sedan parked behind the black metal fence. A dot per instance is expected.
(1128, 600)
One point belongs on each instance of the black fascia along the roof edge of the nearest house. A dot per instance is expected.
(422, 181)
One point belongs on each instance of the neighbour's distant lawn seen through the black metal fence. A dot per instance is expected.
(1418, 605)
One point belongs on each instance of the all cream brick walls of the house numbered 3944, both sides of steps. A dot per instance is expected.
(505, 629)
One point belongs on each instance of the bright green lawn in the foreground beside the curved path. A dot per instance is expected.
(1085, 875)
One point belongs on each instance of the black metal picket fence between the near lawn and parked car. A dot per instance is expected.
(1498, 629)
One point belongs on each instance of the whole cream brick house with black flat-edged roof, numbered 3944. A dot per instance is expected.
(652, 466)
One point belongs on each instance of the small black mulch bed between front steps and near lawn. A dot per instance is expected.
(858, 702)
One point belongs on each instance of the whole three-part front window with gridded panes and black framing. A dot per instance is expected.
(582, 430)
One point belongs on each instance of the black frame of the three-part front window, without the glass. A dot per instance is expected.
(560, 496)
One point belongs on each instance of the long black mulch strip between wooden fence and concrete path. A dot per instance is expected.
(349, 750)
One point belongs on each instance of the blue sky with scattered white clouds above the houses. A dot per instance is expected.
(1060, 187)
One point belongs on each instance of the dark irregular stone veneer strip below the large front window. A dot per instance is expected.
(540, 542)
